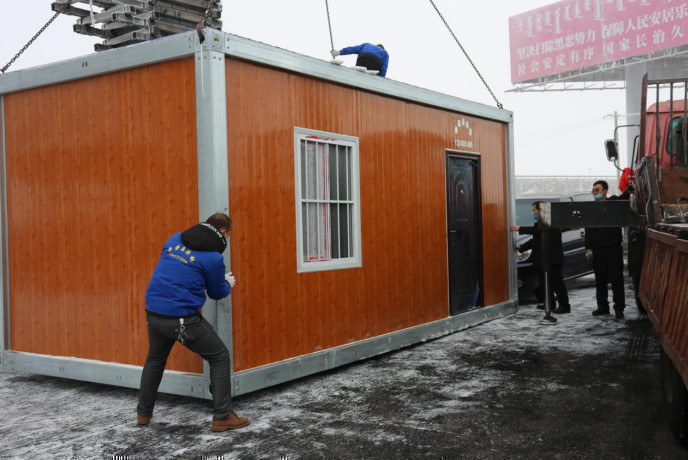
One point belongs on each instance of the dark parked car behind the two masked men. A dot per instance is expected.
(573, 240)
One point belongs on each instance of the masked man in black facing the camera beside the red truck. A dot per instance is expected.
(603, 248)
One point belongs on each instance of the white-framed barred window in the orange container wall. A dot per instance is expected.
(328, 229)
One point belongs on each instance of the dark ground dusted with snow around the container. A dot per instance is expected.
(581, 389)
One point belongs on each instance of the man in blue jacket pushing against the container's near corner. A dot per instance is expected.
(190, 265)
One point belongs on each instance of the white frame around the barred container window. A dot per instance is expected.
(336, 139)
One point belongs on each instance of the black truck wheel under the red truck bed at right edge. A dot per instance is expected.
(675, 398)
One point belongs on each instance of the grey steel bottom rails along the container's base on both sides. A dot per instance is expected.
(243, 382)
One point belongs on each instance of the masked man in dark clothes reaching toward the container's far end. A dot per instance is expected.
(556, 254)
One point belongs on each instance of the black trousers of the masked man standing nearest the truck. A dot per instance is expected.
(607, 263)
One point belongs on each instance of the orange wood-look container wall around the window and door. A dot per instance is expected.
(278, 313)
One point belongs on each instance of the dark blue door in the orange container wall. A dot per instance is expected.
(465, 242)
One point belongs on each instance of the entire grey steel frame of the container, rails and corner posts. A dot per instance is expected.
(214, 197)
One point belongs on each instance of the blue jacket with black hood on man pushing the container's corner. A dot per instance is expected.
(191, 263)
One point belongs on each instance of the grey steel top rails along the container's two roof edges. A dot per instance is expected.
(187, 43)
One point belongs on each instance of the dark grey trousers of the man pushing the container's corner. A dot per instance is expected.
(201, 339)
